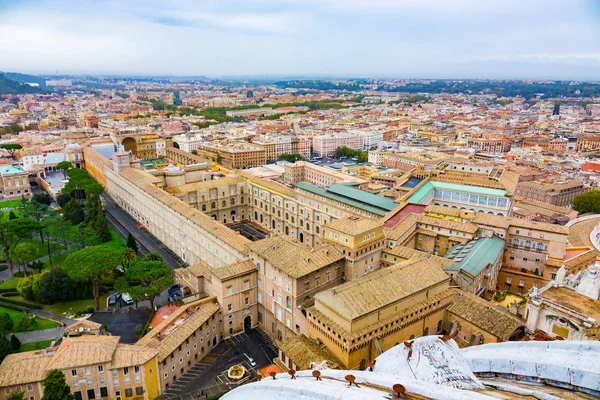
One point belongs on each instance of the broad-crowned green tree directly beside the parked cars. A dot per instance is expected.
(152, 276)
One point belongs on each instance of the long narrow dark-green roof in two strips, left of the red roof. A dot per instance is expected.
(354, 197)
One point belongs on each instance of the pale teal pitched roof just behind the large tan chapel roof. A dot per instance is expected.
(473, 256)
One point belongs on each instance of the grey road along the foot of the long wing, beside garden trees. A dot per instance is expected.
(123, 224)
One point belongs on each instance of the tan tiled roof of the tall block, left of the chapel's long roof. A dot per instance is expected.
(294, 258)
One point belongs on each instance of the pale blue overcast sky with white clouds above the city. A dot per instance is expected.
(356, 38)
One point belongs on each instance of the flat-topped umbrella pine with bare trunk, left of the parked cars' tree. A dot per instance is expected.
(93, 264)
